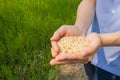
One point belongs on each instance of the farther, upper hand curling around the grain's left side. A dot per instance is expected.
(65, 30)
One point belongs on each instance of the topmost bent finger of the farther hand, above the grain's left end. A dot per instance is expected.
(58, 34)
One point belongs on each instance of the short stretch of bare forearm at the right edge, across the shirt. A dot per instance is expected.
(110, 39)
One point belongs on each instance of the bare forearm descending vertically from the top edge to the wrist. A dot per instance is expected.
(85, 15)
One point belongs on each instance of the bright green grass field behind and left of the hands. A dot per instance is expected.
(25, 30)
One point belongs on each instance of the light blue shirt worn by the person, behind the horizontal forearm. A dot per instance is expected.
(107, 20)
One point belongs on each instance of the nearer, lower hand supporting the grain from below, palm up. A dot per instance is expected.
(84, 56)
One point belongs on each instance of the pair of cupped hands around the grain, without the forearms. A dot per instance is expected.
(84, 56)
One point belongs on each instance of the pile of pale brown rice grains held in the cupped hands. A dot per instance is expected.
(71, 44)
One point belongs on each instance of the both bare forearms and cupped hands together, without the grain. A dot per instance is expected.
(85, 15)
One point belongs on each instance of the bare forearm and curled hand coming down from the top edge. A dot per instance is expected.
(85, 15)
